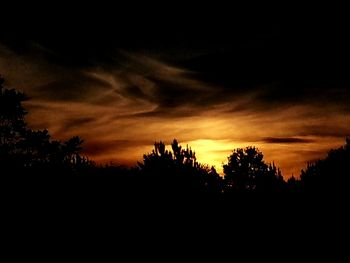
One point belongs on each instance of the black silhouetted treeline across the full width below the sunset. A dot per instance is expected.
(35, 158)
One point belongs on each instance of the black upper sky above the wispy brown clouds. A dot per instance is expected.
(259, 45)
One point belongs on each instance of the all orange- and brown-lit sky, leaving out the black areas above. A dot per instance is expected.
(120, 126)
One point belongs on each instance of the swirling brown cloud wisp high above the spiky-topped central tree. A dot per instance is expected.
(163, 84)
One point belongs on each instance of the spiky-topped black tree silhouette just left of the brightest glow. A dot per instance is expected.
(178, 170)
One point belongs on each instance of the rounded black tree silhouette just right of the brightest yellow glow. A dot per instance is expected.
(247, 171)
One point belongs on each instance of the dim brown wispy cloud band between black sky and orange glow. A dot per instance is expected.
(147, 77)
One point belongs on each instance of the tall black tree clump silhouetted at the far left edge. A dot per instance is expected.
(21, 147)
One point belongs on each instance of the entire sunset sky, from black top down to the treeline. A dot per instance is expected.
(215, 83)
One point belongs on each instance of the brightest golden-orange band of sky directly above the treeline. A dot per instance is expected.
(212, 135)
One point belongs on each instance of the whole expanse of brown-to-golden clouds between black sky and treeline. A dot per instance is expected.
(123, 104)
